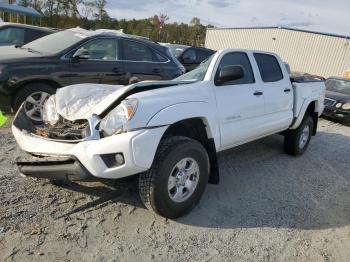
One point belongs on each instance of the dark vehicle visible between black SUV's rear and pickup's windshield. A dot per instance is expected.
(190, 57)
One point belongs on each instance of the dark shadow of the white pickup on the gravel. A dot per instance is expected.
(263, 187)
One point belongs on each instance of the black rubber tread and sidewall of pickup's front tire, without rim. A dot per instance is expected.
(153, 184)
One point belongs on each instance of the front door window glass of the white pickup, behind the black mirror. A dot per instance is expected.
(240, 59)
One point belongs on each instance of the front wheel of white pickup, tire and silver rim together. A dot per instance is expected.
(177, 178)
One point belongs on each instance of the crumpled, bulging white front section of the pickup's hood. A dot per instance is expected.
(83, 100)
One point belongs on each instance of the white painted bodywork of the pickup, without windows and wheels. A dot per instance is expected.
(232, 115)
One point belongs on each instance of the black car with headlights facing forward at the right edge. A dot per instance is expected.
(337, 102)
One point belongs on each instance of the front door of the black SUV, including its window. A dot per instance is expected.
(102, 64)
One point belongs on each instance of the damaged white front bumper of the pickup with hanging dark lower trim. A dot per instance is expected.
(87, 158)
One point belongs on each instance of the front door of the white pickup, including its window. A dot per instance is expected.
(240, 103)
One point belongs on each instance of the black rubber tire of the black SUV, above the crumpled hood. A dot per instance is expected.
(29, 89)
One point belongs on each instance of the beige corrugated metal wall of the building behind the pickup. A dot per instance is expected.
(305, 52)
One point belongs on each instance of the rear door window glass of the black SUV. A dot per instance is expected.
(134, 51)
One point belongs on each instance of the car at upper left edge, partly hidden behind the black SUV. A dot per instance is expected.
(20, 34)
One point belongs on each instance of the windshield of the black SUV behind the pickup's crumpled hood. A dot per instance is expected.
(55, 43)
